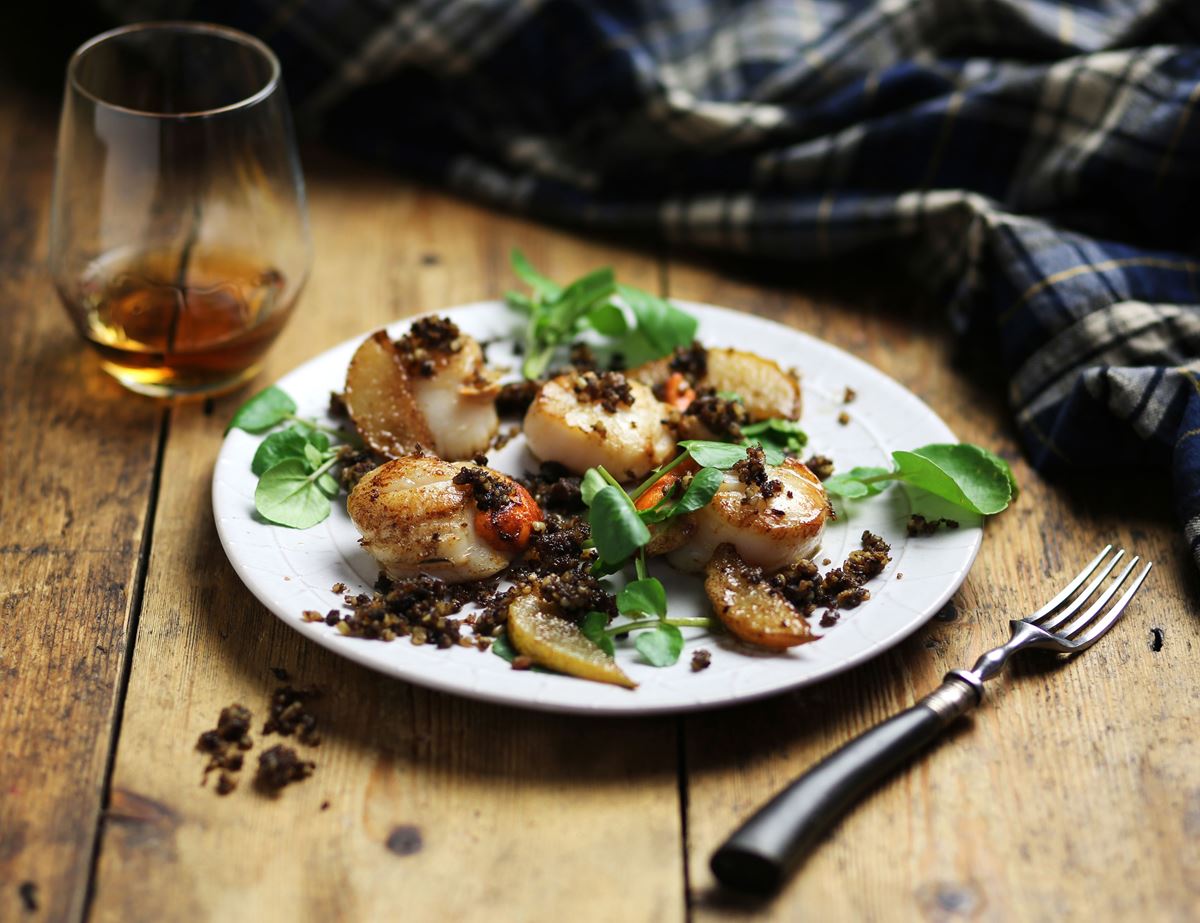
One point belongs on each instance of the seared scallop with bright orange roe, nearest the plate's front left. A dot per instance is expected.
(459, 523)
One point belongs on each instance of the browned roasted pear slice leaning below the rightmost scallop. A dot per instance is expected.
(749, 607)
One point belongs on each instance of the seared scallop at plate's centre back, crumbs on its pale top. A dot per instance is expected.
(587, 421)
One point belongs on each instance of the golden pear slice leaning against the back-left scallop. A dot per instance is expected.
(380, 400)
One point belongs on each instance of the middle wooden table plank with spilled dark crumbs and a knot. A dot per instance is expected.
(520, 816)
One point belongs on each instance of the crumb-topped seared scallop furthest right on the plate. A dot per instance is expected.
(772, 516)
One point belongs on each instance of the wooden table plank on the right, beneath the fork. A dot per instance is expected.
(1073, 792)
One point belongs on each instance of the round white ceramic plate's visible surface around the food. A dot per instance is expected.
(292, 572)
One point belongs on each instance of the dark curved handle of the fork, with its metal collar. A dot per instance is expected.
(761, 854)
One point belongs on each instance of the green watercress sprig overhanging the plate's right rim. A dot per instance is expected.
(967, 476)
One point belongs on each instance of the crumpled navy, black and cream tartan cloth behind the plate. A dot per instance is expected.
(1039, 160)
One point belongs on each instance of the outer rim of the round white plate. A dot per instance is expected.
(337, 644)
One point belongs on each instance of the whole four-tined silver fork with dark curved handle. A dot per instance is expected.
(760, 854)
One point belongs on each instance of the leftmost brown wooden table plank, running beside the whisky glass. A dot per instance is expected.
(79, 457)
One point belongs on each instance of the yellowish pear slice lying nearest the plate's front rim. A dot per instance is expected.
(548, 639)
